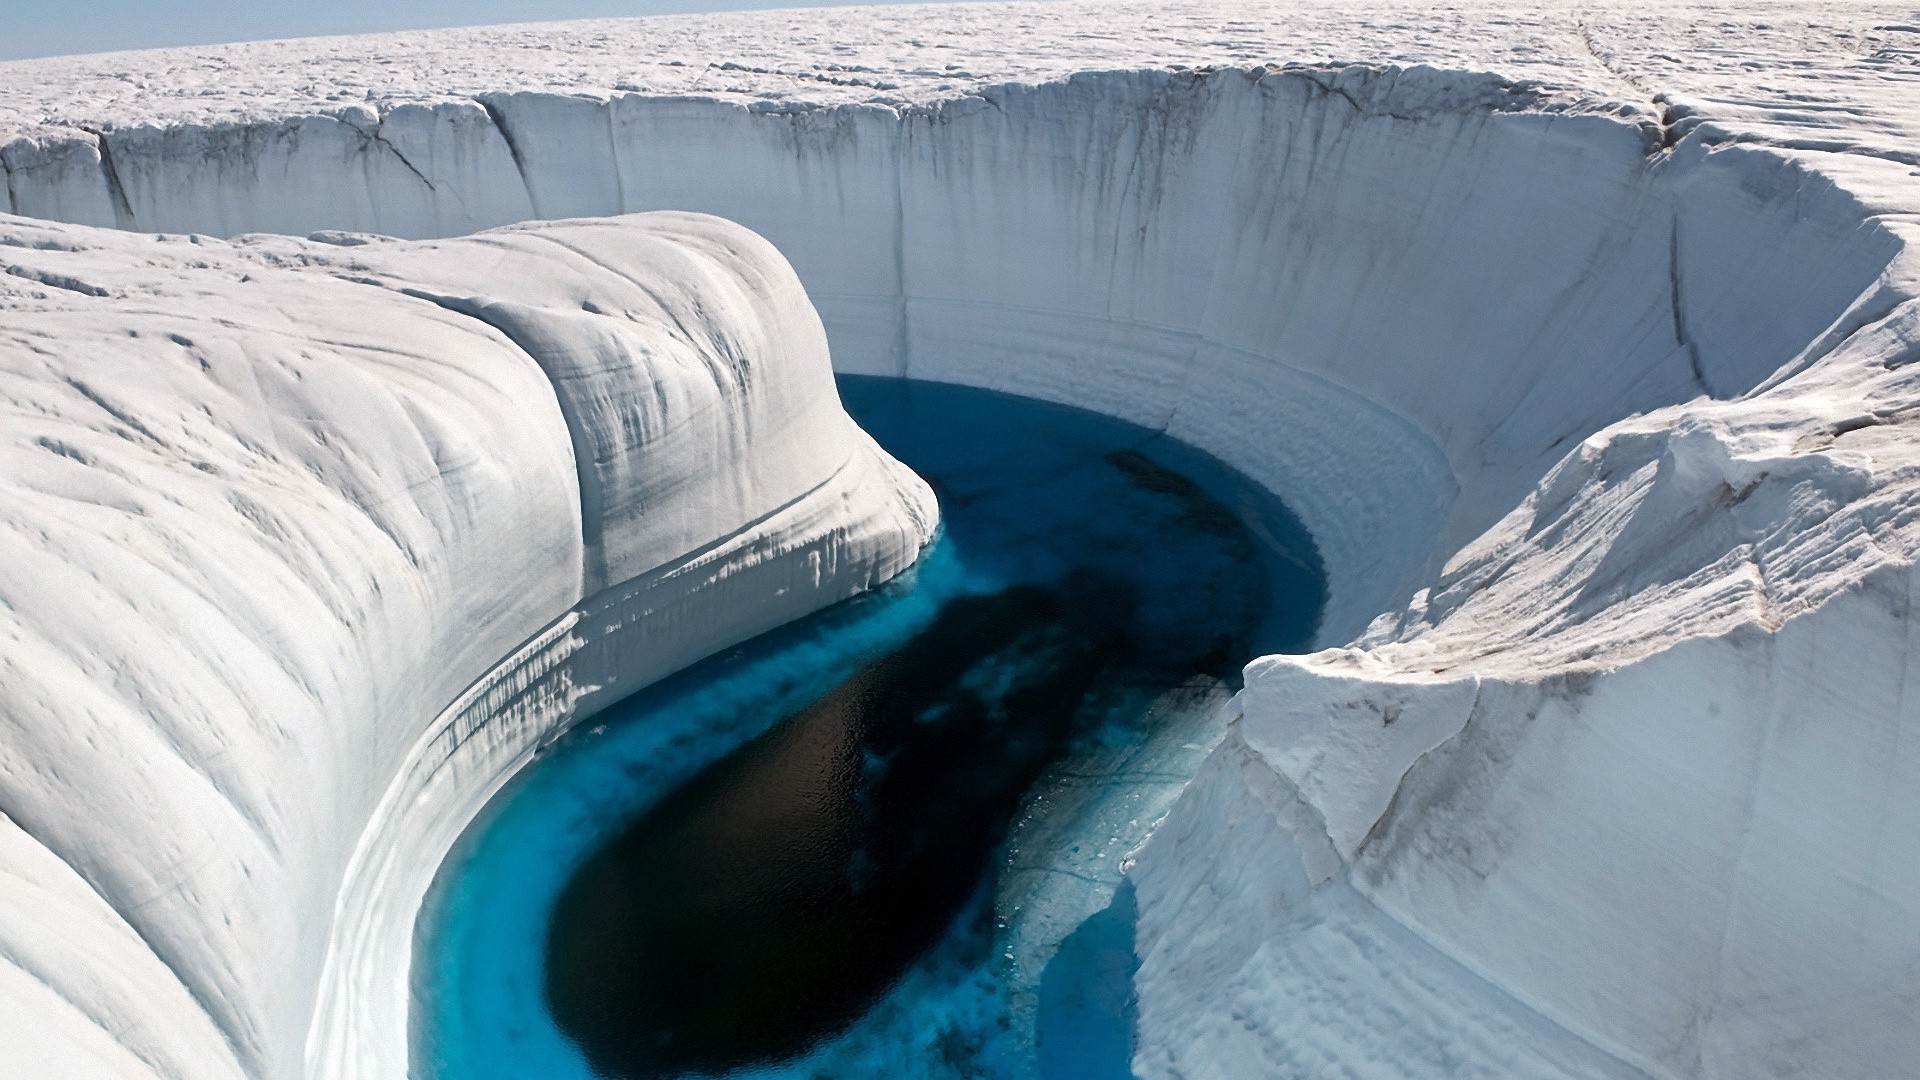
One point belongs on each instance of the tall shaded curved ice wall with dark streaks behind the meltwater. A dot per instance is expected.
(1422, 280)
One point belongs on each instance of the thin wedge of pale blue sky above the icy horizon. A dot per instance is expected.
(57, 28)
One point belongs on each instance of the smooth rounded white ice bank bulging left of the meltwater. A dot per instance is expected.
(308, 547)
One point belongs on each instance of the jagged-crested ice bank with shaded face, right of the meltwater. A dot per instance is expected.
(1639, 760)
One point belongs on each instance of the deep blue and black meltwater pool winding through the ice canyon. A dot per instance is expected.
(884, 841)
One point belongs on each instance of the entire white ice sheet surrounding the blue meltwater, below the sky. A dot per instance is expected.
(1581, 337)
